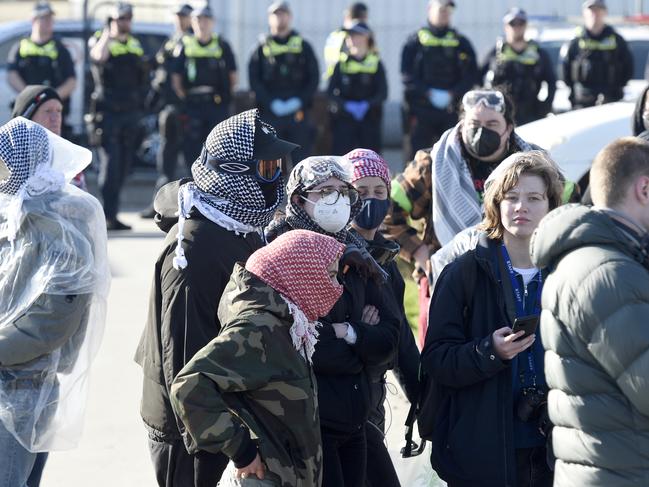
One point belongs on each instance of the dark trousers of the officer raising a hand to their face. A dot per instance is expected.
(118, 146)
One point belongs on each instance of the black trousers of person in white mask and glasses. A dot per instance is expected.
(344, 457)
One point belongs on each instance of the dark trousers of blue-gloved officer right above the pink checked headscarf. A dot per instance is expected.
(348, 134)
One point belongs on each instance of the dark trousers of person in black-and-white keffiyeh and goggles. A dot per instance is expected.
(174, 467)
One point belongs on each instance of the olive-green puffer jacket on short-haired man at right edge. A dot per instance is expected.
(595, 328)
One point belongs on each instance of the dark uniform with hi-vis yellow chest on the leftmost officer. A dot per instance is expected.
(47, 64)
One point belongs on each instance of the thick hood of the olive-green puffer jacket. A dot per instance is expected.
(573, 226)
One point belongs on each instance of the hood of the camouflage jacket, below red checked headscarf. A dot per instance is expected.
(246, 294)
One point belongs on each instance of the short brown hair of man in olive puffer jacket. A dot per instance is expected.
(614, 169)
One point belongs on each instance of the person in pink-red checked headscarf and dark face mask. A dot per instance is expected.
(371, 178)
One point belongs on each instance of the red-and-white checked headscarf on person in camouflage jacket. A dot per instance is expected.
(295, 265)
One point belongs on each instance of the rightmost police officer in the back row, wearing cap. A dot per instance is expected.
(596, 64)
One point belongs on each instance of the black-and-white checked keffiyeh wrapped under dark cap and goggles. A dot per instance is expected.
(237, 203)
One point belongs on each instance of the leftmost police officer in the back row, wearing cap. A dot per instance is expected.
(42, 60)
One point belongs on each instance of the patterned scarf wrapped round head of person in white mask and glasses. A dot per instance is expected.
(308, 174)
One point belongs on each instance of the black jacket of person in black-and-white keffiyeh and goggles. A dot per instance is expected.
(182, 316)
